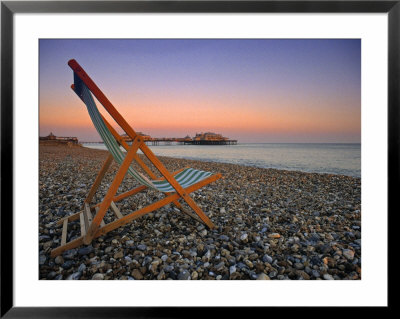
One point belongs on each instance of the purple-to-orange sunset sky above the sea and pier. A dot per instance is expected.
(250, 90)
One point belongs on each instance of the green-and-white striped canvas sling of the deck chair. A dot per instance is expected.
(185, 178)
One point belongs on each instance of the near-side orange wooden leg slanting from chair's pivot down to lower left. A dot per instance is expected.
(111, 191)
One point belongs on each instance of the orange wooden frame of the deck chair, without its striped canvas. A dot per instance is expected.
(93, 227)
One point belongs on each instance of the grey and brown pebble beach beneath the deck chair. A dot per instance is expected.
(270, 224)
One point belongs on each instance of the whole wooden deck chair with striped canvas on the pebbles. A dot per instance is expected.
(175, 186)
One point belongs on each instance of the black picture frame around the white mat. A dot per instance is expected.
(9, 8)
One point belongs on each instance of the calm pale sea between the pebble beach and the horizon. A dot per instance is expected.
(343, 159)
